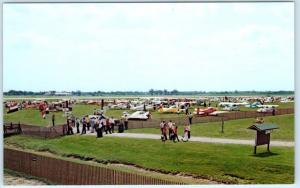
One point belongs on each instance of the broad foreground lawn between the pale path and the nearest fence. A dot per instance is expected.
(231, 163)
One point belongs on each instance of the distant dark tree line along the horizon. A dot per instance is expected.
(151, 92)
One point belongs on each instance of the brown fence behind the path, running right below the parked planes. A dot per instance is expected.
(152, 123)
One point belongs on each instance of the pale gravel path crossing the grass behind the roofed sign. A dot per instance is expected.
(197, 139)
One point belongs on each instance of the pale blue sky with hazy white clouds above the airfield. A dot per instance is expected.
(139, 46)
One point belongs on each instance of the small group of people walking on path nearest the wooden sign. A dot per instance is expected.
(172, 130)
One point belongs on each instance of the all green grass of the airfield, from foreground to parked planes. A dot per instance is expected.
(220, 163)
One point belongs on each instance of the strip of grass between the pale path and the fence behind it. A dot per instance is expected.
(235, 128)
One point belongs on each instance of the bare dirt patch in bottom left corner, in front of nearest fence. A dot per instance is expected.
(10, 179)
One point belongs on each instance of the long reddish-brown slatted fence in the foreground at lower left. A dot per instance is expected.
(64, 172)
